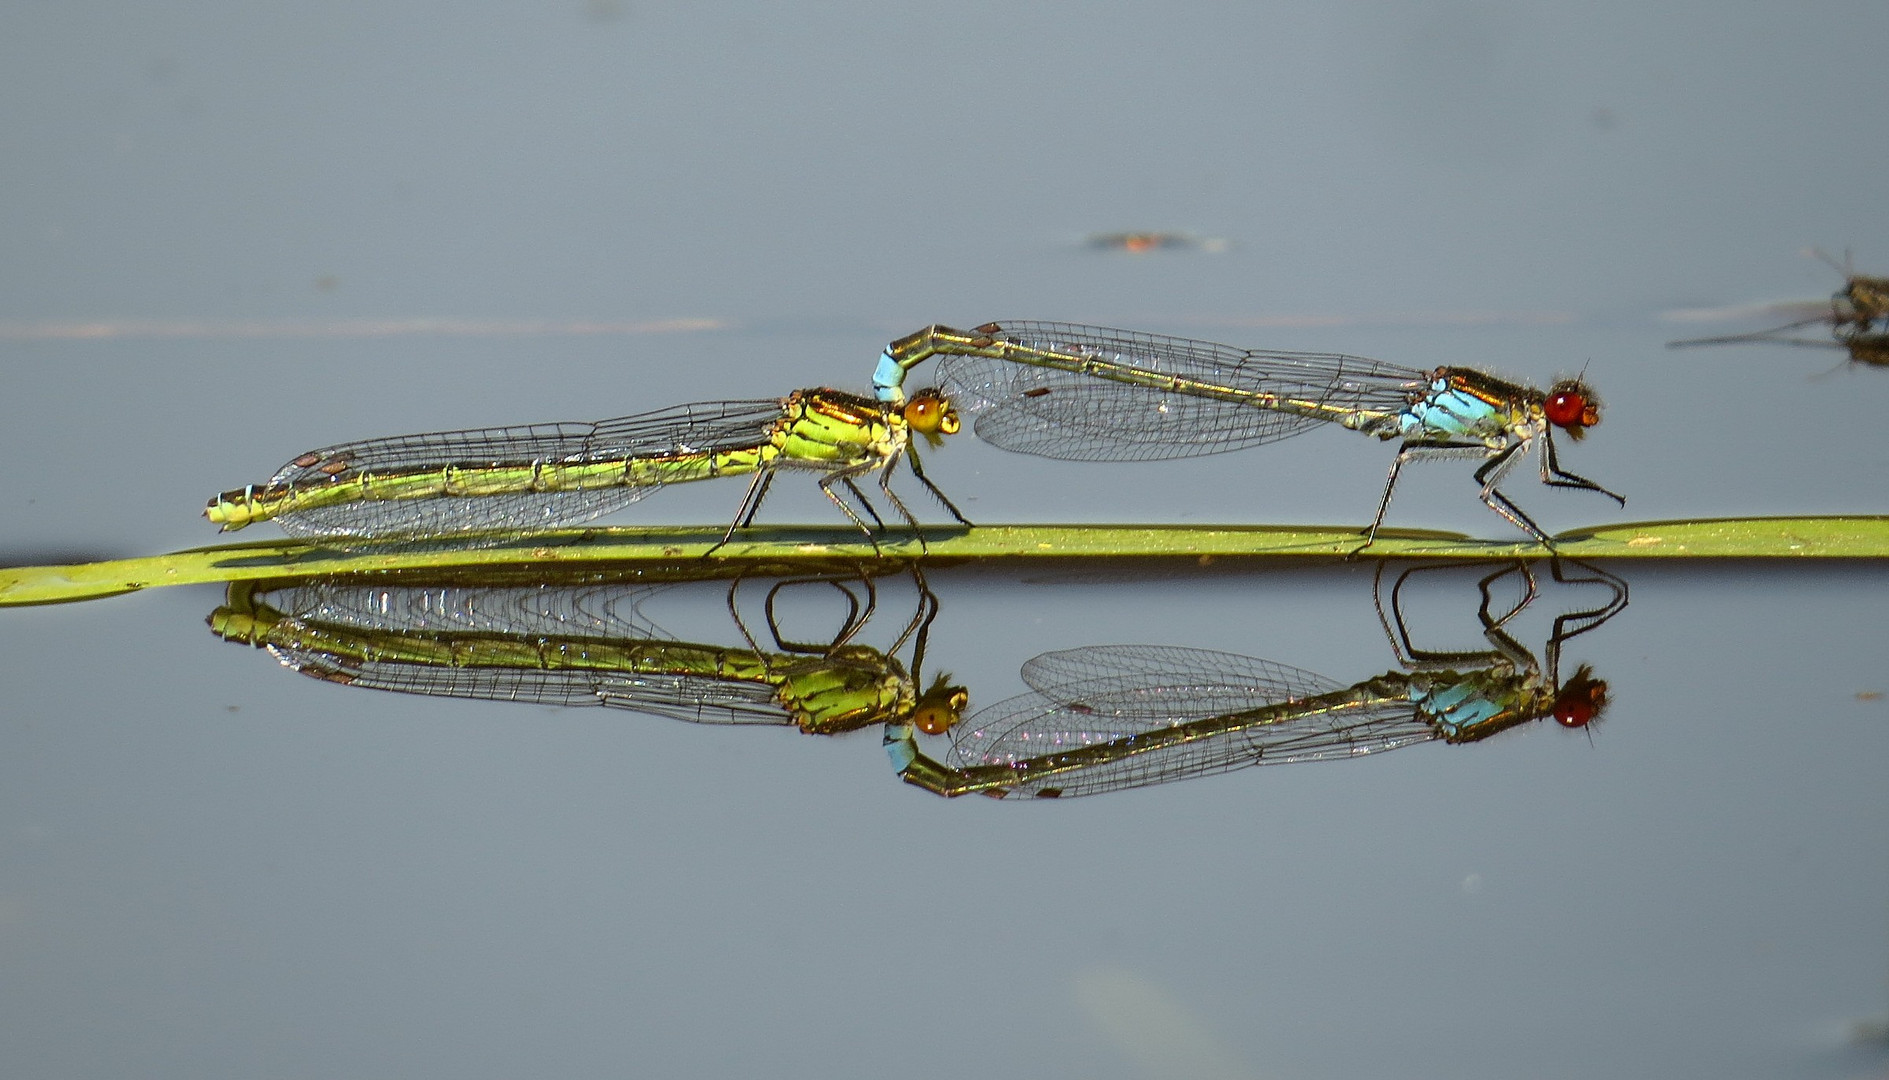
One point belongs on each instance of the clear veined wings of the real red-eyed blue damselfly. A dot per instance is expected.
(1149, 397)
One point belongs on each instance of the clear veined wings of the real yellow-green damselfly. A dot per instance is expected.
(702, 428)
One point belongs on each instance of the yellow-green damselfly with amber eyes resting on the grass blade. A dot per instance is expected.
(519, 481)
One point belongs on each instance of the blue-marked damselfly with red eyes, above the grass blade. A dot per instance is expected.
(1089, 394)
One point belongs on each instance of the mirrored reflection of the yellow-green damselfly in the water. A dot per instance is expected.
(594, 645)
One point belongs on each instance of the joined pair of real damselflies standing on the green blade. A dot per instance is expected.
(1051, 390)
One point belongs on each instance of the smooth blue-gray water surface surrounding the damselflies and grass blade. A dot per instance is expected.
(231, 233)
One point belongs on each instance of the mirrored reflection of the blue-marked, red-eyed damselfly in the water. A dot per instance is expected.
(1129, 717)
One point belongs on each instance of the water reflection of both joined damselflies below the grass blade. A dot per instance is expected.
(1097, 720)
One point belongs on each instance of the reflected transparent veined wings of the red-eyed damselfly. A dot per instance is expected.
(1117, 713)
